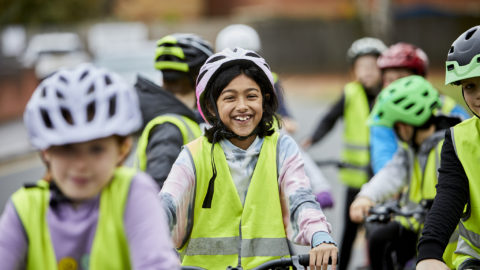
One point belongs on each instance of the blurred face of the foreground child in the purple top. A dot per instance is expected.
(81, 170)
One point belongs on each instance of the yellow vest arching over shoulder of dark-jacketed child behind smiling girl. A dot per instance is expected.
(189, 129)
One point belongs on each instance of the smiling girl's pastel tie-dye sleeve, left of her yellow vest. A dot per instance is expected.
(177, 196)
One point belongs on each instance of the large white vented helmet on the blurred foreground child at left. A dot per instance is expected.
(79, 105)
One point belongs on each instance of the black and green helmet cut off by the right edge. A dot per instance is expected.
(463, 60)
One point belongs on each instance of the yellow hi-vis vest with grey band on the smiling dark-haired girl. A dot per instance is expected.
(254, 231)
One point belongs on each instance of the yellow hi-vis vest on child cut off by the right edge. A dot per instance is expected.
(465, 137)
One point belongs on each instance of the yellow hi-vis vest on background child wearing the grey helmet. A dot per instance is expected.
(356, 137)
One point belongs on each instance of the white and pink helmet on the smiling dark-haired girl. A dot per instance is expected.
(220, 61)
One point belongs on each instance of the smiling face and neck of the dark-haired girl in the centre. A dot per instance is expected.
(240, 106)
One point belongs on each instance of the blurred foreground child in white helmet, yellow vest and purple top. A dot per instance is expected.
(92, 213)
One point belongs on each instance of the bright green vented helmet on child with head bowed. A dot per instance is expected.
(411, 100)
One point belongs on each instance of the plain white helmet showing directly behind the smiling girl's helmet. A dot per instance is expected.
(238, 35)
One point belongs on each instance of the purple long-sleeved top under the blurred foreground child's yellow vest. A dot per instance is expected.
(72, 230)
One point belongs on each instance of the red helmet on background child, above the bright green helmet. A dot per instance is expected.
(404, 55)
